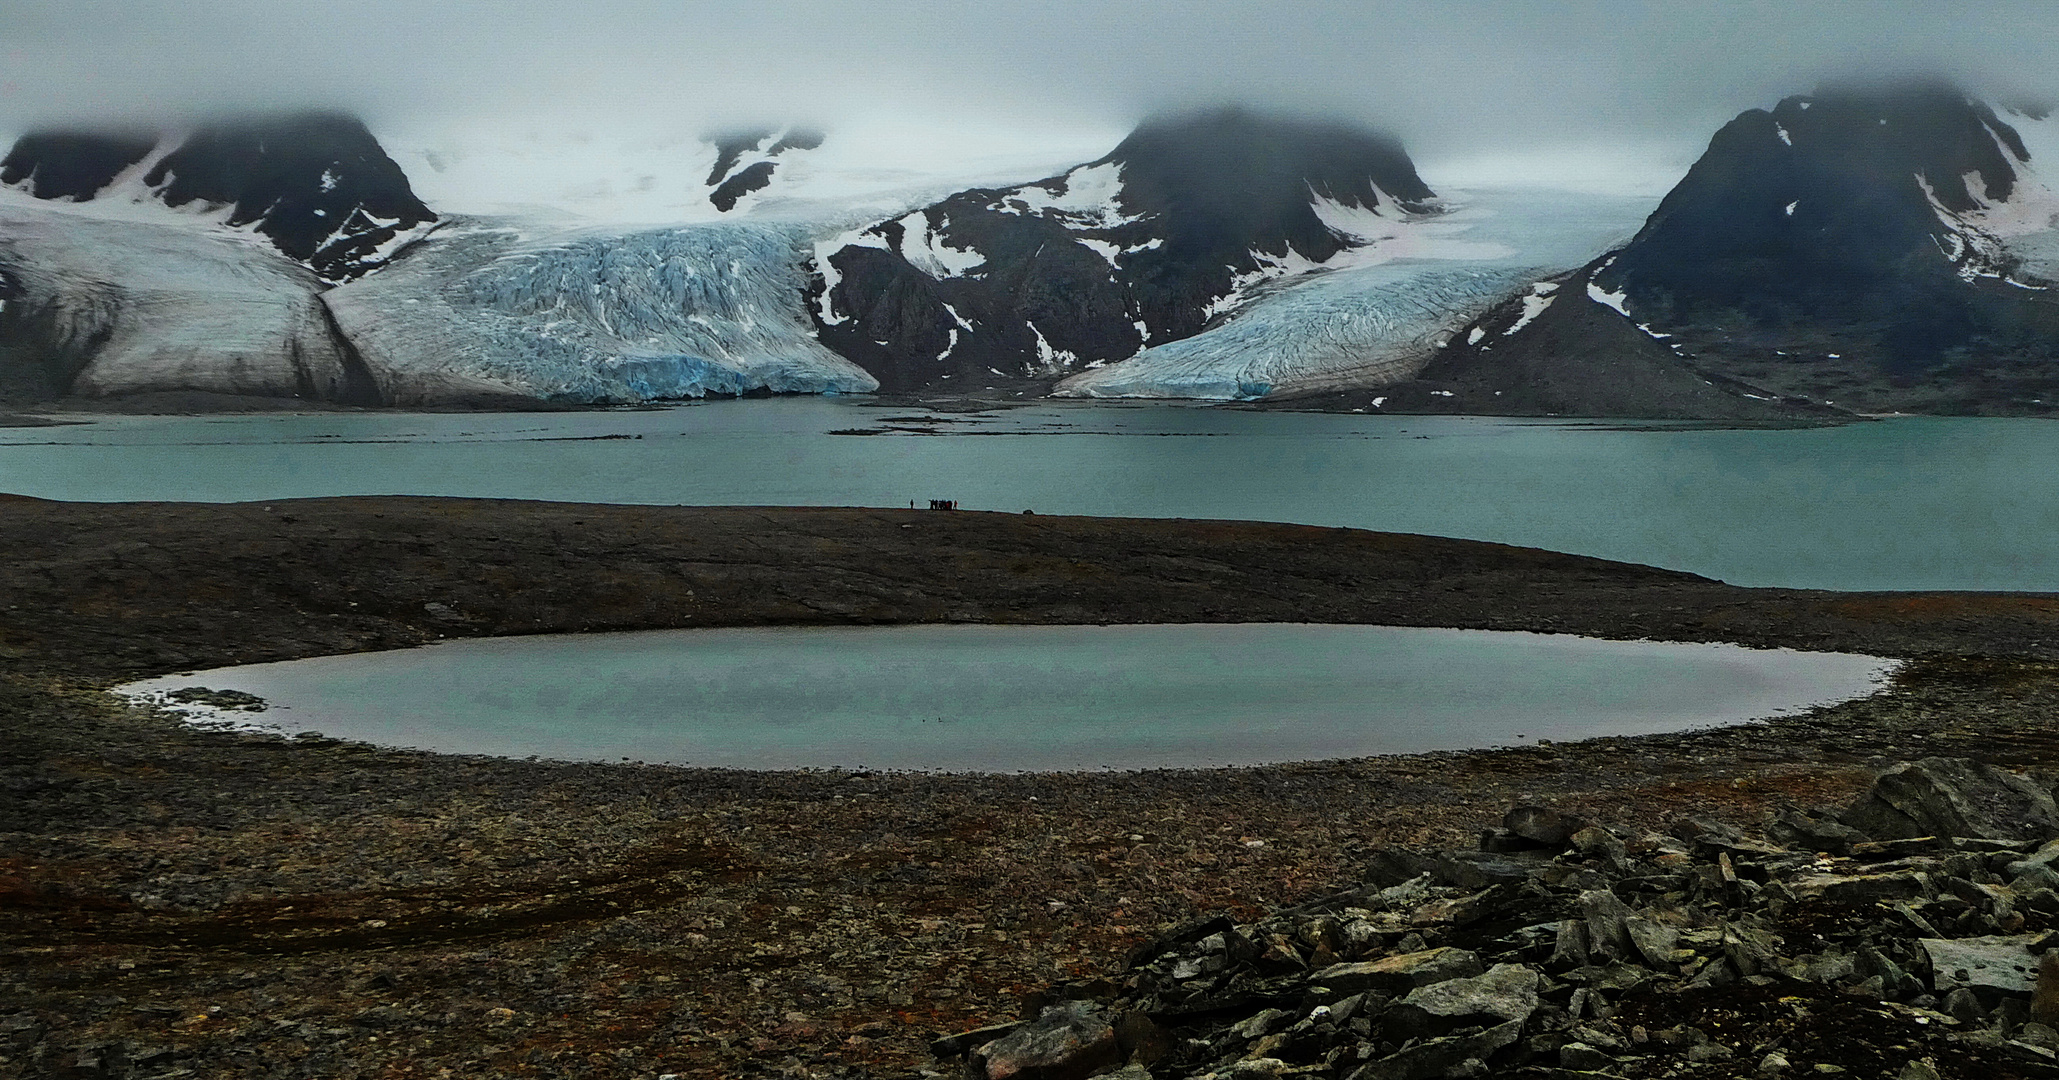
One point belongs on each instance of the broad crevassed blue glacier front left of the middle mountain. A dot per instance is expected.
(493, 310)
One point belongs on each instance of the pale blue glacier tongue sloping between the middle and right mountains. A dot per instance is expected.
(1374, 314)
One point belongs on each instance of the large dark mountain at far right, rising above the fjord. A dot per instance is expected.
(1871, 248)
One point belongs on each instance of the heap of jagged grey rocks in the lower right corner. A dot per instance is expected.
(1908, 935)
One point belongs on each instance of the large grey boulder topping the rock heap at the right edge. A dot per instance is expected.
(1955, 797)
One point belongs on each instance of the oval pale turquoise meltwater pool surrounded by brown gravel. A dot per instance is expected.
(1022, 698)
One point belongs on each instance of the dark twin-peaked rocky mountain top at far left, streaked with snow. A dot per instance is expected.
(316, 184)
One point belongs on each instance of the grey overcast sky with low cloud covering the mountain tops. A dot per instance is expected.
(1459, 81)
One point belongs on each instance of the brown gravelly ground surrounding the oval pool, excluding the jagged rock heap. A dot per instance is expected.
(252, 906)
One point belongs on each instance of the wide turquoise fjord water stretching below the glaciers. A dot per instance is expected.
(1889, 505)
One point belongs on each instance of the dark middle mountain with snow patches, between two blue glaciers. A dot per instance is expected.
(1028, 285)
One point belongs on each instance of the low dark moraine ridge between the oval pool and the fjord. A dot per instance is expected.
(129, 589)
